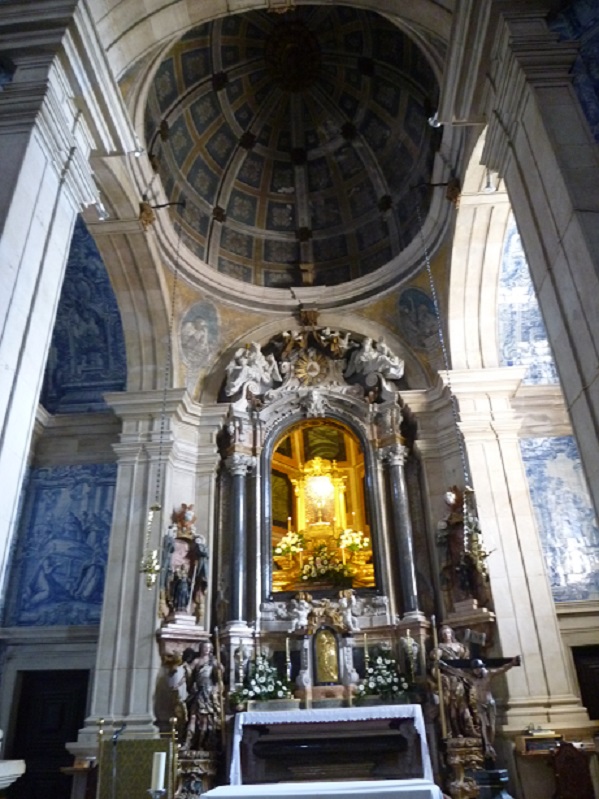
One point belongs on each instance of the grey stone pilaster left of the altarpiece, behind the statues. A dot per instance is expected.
(150, 467)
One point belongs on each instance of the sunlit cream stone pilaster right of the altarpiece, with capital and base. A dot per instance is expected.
(542, 690)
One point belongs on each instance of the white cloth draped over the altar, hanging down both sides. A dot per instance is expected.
(329, 714)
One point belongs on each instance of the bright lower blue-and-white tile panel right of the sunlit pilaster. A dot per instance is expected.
(567, 524)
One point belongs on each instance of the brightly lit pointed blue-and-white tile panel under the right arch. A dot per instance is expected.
(522, 335)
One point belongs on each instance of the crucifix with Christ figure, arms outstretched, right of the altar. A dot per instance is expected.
(479, 678)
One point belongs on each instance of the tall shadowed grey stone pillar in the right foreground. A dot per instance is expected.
(542, 145)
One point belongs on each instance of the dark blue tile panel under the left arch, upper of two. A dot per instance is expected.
(87, 352)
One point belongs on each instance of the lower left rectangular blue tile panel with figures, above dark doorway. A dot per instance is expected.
(57, 577)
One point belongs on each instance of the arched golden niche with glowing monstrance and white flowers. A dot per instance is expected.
(325, 541)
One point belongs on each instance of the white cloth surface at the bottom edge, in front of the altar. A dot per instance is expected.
(356, 789)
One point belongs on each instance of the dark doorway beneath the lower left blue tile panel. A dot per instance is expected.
(50, 712)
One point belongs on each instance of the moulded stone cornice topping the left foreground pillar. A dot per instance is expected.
(63, 88)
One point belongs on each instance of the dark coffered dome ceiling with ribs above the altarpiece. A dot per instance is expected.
(298, 142)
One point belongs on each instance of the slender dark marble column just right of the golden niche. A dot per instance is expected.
(402, 529)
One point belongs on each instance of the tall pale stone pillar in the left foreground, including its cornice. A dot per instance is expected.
(51, 120)
